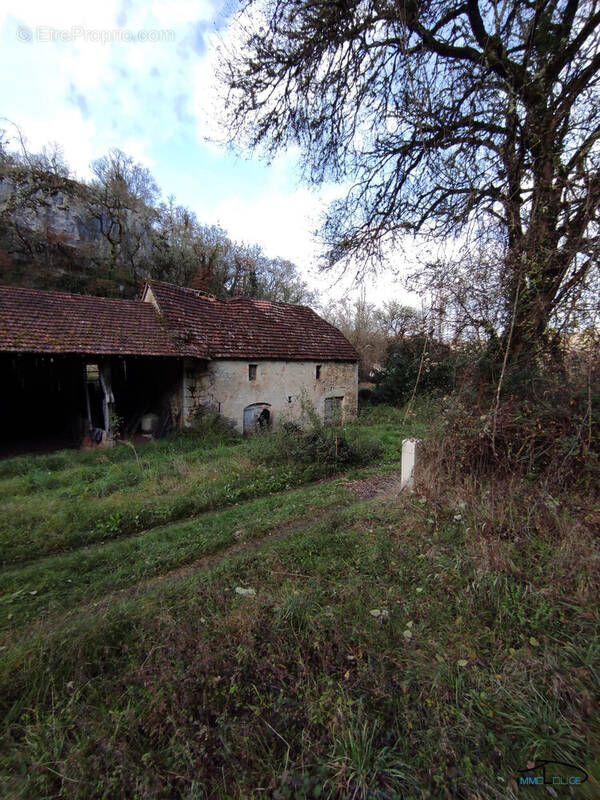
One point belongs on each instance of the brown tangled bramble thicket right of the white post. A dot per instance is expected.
(546, 432)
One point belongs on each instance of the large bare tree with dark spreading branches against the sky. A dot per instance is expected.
(448, 118)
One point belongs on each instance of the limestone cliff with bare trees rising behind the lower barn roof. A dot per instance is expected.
(56, 234)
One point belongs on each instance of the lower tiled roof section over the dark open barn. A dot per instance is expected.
(58, 322)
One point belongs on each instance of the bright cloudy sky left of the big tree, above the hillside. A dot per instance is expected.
(139, 75)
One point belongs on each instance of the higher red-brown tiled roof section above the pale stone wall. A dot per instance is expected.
(241, 327)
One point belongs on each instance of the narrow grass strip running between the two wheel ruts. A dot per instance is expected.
(58, 582)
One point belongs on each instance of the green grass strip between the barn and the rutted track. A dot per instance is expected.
(51, 504)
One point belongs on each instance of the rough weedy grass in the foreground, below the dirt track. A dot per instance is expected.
(190, 690)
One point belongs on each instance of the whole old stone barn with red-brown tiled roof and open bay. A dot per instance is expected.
(74, 365)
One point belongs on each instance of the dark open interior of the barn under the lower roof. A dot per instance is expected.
(52, 401)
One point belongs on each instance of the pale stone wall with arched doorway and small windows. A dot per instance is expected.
(224, 385)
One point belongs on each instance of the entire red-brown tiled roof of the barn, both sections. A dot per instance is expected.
(186, 323)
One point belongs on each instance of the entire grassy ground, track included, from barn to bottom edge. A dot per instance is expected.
(187, 620)
